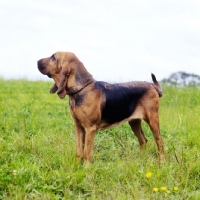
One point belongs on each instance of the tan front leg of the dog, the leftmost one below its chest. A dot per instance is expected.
(80, 140)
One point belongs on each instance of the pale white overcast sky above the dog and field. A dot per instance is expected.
(116, 40)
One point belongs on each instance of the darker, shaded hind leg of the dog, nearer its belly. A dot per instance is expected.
(136, 127)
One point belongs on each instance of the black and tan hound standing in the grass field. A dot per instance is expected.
(96, 105)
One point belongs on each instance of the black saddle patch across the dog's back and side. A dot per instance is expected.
(121, 99)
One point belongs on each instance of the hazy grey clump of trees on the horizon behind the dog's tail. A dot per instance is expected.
(182, 79)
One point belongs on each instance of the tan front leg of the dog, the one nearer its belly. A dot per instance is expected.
(89, 143)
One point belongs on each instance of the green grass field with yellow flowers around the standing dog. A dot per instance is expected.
(37, 150)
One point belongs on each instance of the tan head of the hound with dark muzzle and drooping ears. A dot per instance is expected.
(68, 72)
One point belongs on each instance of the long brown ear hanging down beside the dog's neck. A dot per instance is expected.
(62, 85)
